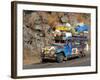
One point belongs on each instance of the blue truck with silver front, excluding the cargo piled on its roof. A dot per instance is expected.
(73, 47)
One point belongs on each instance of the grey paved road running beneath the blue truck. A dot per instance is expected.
(85, 61)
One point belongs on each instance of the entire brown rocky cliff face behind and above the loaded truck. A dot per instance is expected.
(38, 27)
